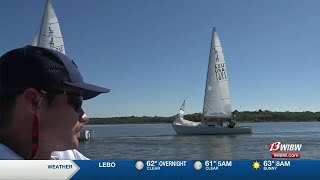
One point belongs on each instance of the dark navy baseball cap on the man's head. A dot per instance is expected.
(42, 68)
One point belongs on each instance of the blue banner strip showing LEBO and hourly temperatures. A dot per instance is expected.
(209, 169)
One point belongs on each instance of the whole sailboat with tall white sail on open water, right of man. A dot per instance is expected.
(217, 104)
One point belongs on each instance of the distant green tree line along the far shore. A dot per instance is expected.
(244, 116)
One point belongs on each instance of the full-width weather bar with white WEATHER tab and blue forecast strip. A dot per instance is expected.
(159, 169)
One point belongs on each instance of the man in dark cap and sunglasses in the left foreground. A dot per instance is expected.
(41, 94)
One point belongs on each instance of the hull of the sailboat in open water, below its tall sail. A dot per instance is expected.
(203, 129)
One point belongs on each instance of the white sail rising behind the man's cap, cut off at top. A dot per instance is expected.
(50, 33)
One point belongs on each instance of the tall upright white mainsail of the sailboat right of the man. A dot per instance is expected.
(217, 99)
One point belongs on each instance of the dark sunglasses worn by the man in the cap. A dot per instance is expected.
(73, 99)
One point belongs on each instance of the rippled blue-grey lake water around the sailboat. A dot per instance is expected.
(159, 141)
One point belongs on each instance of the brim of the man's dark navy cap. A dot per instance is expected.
(88, 90)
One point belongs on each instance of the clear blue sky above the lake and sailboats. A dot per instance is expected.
(153, 54)
